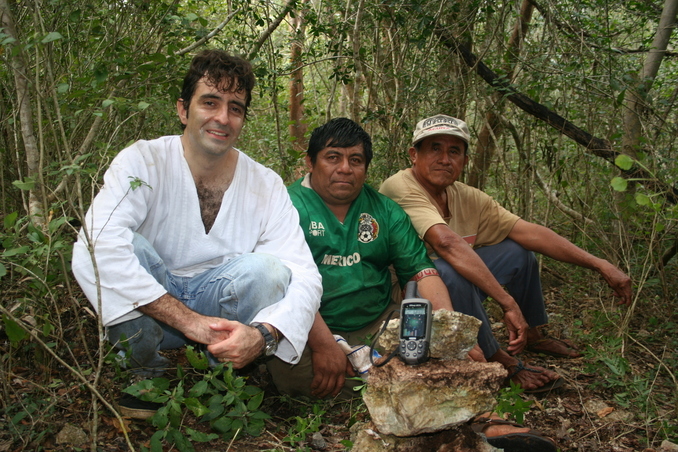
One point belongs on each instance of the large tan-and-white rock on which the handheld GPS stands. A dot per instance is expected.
(410, 400)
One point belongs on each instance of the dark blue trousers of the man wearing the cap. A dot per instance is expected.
(515, 268)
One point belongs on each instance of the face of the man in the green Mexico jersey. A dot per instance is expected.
(338, 174)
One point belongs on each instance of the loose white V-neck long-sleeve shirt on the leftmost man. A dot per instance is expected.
(256, 215)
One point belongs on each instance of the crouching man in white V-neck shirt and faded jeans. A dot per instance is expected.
(191, 240)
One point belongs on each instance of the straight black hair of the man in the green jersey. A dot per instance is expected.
(339, 133)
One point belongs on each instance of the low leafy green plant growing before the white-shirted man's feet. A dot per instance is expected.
(220, 398)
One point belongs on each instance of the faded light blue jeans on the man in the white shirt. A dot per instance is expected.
(237, 290)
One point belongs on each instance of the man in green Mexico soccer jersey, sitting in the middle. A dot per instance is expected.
(355, 234)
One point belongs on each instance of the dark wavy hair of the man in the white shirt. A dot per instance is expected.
(222, 70)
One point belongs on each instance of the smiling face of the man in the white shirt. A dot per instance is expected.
(213, 120)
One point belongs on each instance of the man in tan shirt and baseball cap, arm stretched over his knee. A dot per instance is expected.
(478, 246)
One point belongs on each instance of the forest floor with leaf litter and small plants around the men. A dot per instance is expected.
(618, 396)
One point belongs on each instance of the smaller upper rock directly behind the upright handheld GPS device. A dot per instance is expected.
(453, 334)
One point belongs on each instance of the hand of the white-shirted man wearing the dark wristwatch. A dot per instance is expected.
(242, 343)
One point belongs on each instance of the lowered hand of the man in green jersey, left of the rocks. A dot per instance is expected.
(330, 367)
